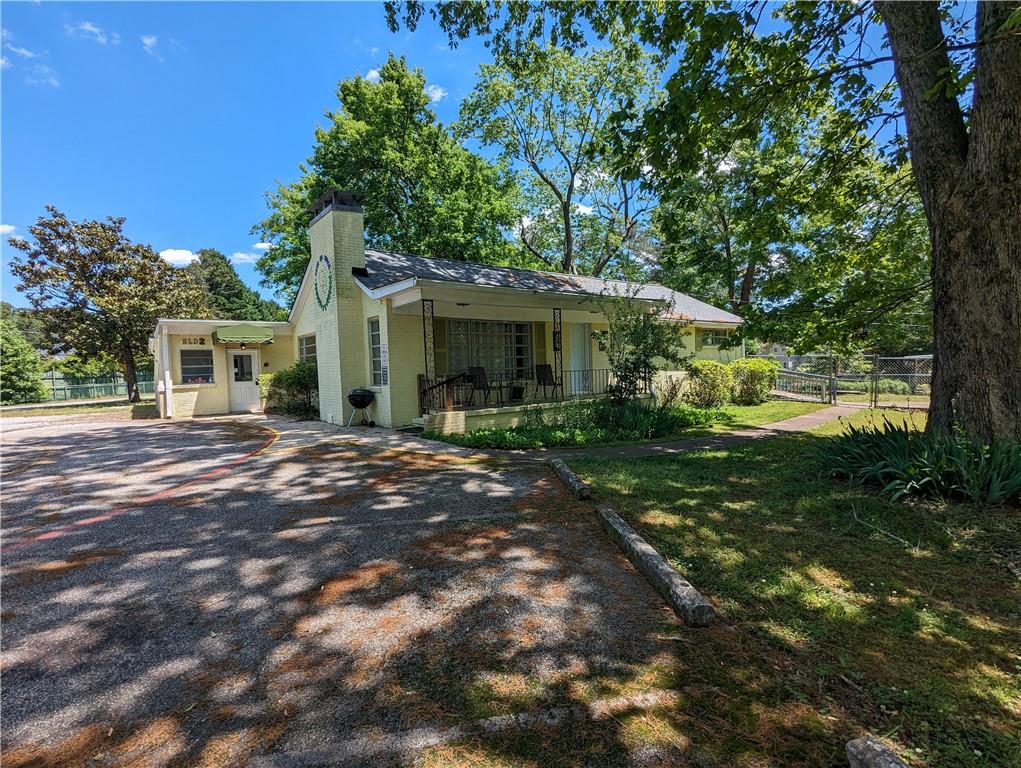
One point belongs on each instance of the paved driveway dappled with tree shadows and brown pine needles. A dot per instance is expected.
(211, 594)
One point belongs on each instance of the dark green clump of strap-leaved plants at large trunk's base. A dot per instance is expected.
(947, 465)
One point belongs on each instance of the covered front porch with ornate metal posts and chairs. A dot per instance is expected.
(490, 354)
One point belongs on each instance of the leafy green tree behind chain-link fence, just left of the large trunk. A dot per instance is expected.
(811, 257)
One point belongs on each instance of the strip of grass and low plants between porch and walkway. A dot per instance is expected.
(700, 423)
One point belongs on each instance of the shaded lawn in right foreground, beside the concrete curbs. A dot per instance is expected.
(841, 613)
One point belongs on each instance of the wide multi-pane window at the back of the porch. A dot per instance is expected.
(505, 350)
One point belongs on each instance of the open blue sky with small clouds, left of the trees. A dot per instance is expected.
(181, 116)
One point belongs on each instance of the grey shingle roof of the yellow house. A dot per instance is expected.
(386, 268)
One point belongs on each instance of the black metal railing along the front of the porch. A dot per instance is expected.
(459, 392)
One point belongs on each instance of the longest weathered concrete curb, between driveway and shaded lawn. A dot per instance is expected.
(684, 598)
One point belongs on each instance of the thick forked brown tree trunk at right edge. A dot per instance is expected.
(969, 179)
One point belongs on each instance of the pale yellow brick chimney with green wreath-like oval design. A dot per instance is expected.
(336, 235)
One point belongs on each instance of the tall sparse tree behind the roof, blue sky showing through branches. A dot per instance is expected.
(546, 112)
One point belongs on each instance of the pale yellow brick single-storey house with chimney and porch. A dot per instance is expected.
(410, 329)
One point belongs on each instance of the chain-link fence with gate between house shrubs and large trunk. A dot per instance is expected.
(857, 380)
